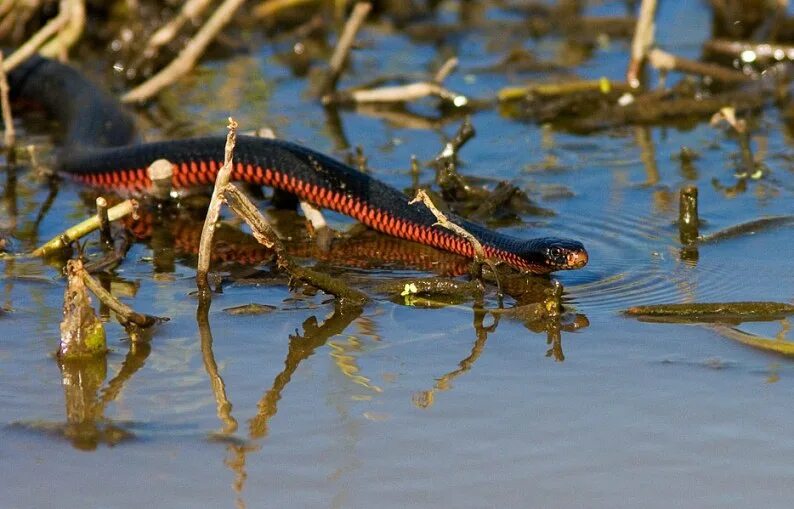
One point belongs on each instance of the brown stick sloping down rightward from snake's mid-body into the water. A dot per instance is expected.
(265, 235)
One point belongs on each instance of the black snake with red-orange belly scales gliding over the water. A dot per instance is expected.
(98, 146)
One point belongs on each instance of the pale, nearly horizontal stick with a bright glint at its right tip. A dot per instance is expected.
(397, 93)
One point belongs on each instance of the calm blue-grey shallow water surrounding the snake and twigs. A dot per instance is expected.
(430, 407)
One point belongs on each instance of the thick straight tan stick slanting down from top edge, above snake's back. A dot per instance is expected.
(188, 57)
